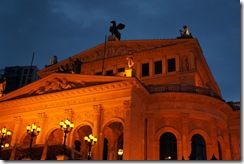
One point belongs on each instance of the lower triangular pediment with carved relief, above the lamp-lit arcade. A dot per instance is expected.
(60, 82)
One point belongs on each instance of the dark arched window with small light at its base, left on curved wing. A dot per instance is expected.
(168, 147)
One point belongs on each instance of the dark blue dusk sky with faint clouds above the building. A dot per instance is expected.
(65, 28)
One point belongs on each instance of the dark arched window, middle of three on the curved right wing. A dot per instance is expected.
(198, 148)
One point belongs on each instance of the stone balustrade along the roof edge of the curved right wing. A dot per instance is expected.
(182, 88)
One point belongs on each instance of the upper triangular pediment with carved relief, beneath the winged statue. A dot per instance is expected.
(113, 49)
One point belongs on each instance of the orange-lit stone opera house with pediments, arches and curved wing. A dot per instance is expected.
(147, 99)
